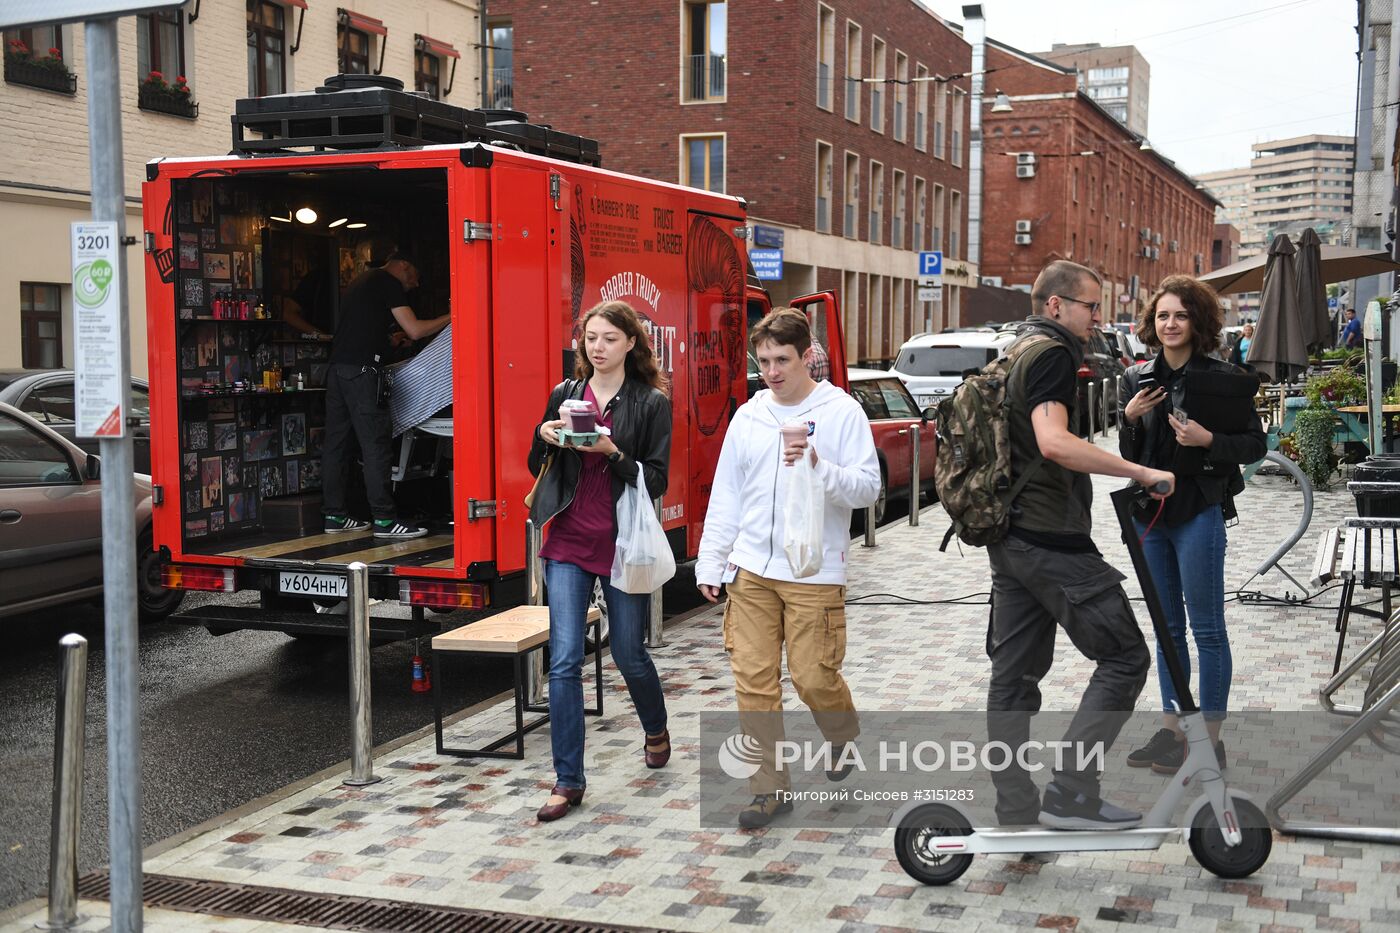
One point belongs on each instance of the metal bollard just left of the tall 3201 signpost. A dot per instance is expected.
(71, 728)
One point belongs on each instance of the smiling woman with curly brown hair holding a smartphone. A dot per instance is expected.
(1185, 537)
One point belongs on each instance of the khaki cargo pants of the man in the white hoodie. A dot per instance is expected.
(761, 617)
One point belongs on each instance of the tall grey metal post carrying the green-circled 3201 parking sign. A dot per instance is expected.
(124, 726)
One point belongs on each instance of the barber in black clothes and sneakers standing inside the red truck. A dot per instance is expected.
(355, 410)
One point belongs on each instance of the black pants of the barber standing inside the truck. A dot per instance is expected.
(353, 413)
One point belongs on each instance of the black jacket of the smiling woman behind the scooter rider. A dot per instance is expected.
(1221, 477)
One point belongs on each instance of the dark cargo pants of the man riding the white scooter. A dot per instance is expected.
(1034, 589)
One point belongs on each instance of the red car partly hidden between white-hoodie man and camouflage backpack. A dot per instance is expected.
(892, 411)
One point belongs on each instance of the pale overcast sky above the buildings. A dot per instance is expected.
(1226, 74)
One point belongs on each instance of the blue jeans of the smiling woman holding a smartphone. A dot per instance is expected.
(1189, 572)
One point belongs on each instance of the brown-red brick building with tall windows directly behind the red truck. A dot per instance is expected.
(775, 103)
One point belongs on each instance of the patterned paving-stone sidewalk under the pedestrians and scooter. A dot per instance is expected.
(458, 833)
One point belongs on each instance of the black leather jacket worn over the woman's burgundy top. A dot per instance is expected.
(642, 432)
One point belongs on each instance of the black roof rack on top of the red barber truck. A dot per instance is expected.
(367, 113)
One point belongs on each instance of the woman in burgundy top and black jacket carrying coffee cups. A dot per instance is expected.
(619, 387)
